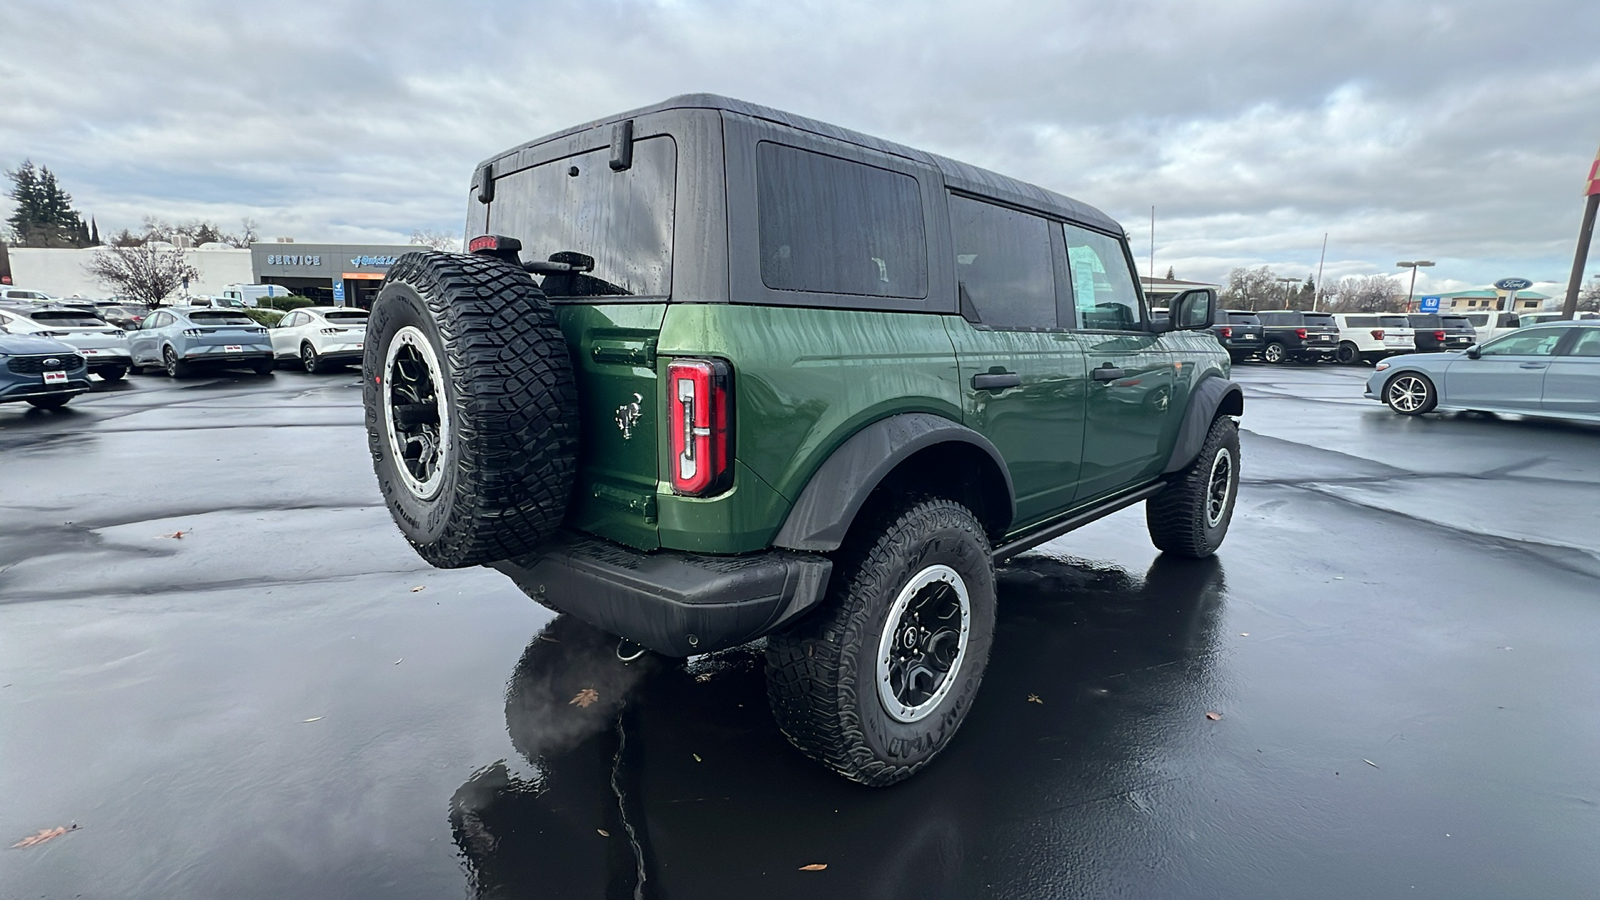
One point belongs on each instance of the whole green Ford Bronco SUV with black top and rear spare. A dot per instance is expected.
(713, 372)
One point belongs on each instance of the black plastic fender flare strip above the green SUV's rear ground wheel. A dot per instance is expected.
(841, 486)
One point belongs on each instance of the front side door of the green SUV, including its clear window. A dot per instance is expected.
(1130, 376)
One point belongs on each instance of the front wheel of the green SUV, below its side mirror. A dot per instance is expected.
(1193, 515)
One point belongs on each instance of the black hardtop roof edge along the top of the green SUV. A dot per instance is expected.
(958, 175)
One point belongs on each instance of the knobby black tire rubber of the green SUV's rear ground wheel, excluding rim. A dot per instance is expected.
(822, 673)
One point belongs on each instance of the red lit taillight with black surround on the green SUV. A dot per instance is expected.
(700, 425)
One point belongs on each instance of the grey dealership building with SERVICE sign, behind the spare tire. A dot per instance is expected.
(334, 275)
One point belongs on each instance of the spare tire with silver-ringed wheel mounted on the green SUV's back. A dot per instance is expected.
(471, 408)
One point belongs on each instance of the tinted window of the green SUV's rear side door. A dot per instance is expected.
(1002, 265)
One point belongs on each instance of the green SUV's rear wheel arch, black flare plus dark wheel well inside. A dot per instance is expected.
(900, 452)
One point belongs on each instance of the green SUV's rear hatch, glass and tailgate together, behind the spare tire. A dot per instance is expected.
(599, 241)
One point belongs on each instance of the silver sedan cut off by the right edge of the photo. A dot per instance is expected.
(1546, 371)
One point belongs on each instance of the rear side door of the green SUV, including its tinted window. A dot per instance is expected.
(1022, 372)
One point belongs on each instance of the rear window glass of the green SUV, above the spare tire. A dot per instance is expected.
(620, 220)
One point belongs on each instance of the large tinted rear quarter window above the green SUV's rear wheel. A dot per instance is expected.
(839, 227)
